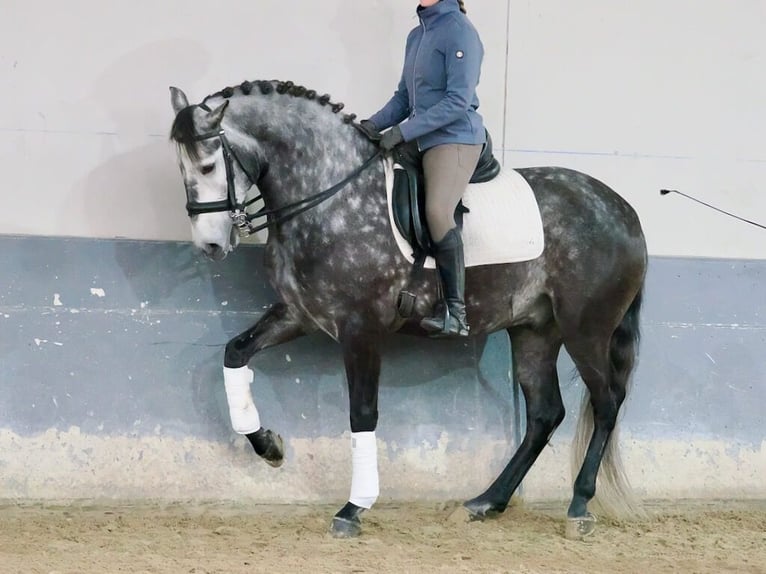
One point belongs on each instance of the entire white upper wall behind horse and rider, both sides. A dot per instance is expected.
(642, 95)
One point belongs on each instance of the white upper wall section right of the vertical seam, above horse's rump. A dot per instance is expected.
(649, 95)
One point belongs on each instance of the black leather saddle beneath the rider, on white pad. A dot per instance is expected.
(408, 199)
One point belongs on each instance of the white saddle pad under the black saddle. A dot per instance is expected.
(503, 226)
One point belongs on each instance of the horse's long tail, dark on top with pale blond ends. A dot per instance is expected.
(614, 496)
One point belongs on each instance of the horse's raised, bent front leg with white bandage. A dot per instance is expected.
(278, 325)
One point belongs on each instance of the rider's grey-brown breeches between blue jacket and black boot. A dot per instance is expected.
(448, 169)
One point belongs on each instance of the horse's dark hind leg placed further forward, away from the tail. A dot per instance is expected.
(534, 368)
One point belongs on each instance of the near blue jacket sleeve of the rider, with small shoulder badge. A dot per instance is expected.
(462, 60)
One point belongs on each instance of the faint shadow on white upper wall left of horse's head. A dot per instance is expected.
(141, 187)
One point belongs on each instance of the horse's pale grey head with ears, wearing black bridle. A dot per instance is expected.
(215, 185)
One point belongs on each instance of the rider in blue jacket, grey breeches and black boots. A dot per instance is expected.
(435, 105)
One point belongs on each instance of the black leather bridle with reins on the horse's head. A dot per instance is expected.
(237, 210)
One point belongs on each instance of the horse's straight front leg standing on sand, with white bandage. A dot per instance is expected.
(361, 356)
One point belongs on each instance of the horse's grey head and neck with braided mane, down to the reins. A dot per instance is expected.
(288, 141)
